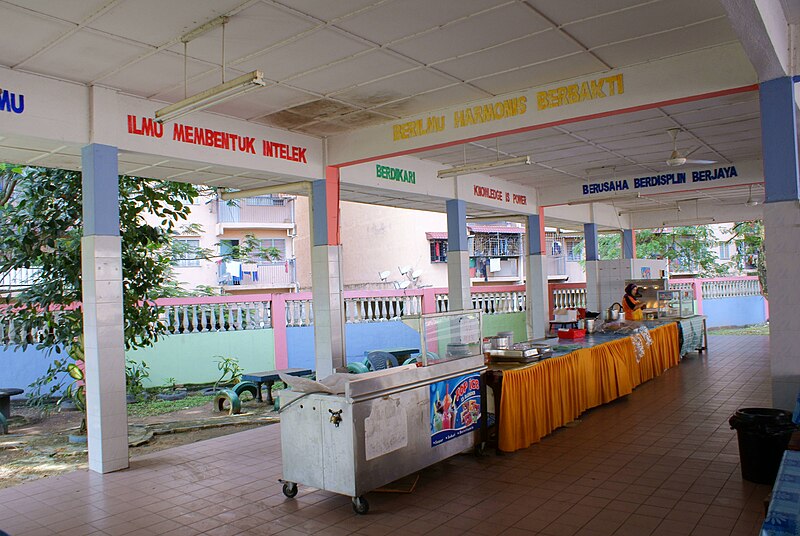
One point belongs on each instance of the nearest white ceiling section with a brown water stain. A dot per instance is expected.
(335, 66)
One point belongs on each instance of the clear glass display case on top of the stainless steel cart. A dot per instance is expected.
(450, 336)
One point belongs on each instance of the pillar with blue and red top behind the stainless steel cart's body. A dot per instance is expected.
(327, 293)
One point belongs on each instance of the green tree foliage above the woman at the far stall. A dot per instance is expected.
(686, 248)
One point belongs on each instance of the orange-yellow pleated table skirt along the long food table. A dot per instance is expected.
(540, 398)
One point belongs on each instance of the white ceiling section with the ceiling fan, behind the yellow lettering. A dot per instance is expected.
(723, 129)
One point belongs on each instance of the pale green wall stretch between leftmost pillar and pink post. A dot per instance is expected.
(192, 358)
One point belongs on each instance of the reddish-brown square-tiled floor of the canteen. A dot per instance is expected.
(662, 461)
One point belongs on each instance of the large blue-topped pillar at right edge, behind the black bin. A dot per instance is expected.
(781, 221)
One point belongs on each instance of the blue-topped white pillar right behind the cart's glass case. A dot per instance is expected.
(458, 283)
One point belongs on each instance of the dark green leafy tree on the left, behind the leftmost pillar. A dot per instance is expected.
(43, 223)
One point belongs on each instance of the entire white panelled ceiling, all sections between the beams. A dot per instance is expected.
(334, 66)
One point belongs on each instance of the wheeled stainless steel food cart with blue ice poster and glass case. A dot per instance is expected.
(390, 423)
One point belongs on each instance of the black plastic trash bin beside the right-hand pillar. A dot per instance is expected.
(763, 435)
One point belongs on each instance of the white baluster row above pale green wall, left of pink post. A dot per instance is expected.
(204, 317)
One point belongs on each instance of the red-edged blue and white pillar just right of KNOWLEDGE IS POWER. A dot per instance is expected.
(536, 290)
